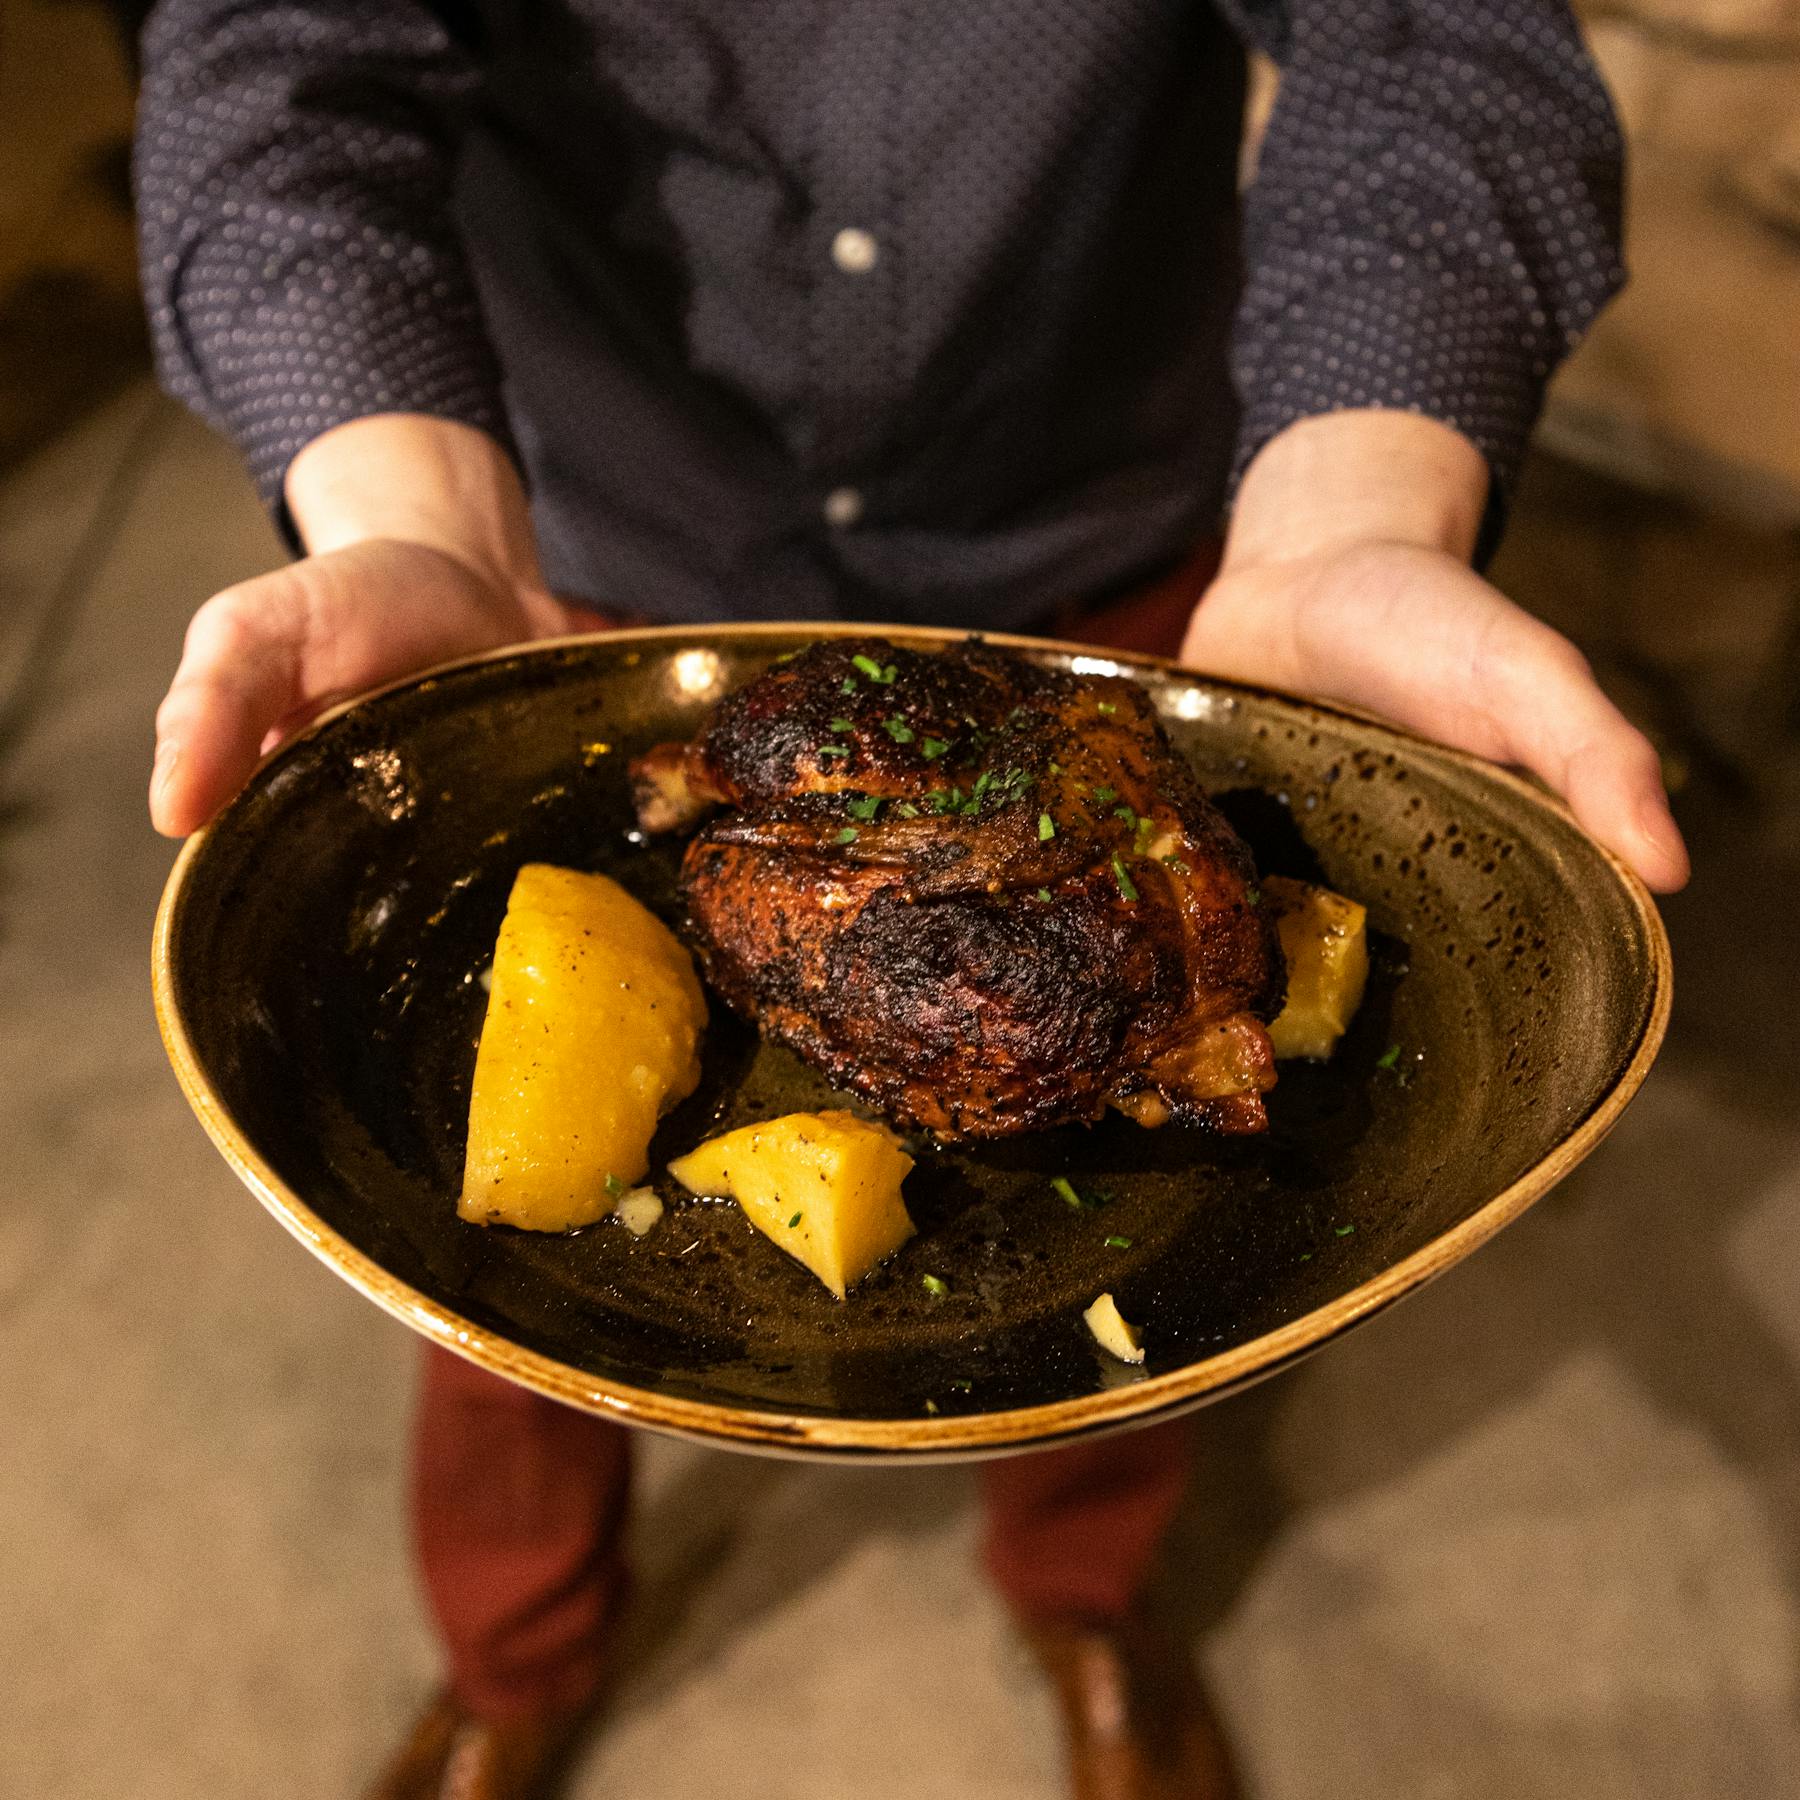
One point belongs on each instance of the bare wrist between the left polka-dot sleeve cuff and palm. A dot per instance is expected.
(415, 480)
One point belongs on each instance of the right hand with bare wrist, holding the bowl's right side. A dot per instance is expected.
(1403, 627)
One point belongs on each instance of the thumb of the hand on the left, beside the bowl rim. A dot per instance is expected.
(240, 674)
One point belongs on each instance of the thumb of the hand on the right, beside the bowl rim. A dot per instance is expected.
(1565, 730)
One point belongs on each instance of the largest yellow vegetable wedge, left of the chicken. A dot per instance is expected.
(593, 1032)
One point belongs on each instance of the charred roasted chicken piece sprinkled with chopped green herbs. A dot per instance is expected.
(985, 895)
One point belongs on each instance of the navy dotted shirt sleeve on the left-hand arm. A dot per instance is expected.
(300, 260)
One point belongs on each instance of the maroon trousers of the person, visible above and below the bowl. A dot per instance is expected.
(519, 1504)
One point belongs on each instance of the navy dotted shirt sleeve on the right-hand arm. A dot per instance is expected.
(1435, 215)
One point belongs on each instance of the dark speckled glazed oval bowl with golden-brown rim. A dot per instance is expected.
(318, 969)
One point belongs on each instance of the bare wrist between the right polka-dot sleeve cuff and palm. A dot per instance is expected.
(1345, 480)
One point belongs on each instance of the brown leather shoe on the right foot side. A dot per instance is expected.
(1137, 1718)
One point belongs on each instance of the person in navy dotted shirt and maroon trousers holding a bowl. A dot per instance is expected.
(944, 312)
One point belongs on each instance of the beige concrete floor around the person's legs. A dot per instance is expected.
(1534, 1536)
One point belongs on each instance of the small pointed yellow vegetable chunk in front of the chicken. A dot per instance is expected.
(823, 1185)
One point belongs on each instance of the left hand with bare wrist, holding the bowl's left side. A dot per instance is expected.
(422, 552)
